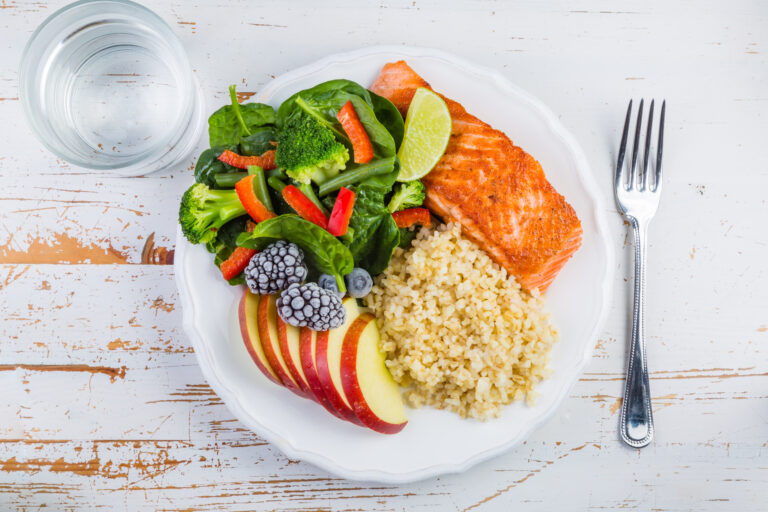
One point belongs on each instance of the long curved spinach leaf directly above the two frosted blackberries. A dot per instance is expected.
(321, 249)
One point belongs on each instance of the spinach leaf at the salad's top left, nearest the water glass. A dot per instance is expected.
(225, 128)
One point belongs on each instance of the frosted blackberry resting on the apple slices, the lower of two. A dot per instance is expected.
(310, 306)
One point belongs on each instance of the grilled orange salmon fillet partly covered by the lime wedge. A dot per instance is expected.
(494, 189)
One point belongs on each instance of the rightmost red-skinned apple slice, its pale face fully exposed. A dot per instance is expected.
(368, 385)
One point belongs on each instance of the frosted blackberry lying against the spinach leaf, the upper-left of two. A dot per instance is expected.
(274, 269)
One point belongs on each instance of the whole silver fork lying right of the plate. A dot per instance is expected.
(637, 198)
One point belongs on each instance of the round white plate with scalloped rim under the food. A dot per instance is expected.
(434, 442)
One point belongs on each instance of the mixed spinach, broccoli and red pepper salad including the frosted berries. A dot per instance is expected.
(314, 187)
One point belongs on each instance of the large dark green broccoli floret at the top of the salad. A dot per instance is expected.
(307, 150)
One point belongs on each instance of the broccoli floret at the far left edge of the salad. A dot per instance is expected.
(204, 210)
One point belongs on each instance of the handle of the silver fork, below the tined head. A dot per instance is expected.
(636, 428)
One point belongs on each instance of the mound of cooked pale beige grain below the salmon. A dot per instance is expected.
(458, 332)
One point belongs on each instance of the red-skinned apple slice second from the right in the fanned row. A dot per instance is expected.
(328, 363)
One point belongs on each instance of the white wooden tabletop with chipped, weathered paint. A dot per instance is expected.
(102, 404)
